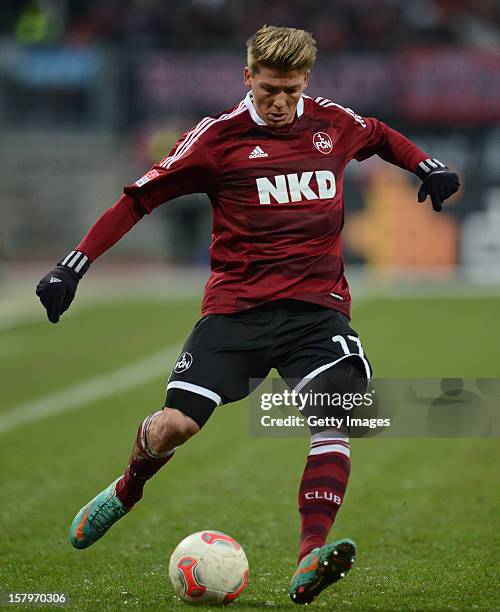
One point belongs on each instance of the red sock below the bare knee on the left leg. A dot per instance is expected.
(144, 462)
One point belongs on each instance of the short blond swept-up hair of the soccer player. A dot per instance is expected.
(281, 48)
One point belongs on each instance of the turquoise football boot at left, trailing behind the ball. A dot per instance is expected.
(94, 519)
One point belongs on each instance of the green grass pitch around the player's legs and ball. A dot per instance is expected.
(423, 512)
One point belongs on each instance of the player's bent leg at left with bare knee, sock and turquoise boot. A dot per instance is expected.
(198, 383)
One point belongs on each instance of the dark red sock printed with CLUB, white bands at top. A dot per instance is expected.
(322, 488)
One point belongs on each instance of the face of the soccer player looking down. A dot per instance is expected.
(276, 94)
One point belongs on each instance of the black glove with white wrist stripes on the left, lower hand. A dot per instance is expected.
(57, 289)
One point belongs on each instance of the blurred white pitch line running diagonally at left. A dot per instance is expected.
(93, 389)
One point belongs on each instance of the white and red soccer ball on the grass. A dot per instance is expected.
(208, 567)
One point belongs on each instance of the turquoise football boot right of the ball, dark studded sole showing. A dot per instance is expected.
(321, 568)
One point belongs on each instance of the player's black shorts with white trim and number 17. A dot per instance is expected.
(225, 356)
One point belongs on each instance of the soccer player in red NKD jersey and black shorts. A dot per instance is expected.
(273, 167)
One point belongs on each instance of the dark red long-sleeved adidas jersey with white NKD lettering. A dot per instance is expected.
(276, 195)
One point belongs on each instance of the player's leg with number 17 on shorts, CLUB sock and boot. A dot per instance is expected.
(325, 357)
